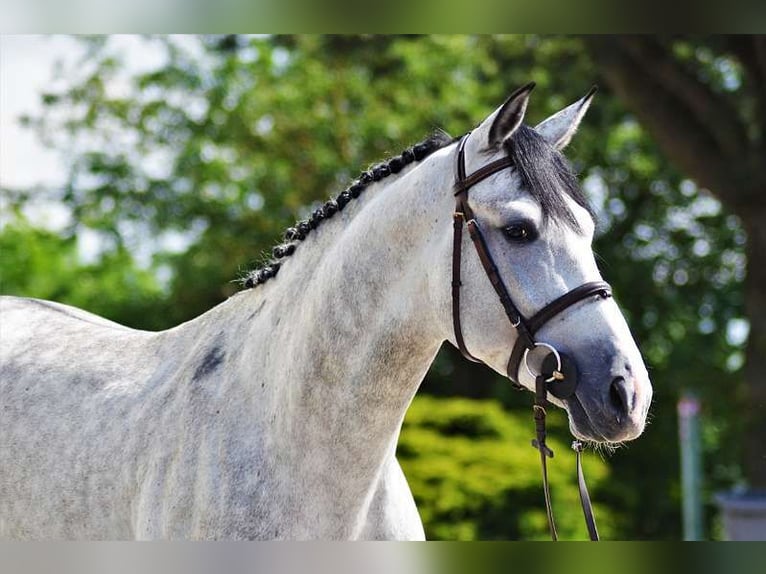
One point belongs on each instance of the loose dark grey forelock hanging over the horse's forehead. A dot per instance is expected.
(545, 173)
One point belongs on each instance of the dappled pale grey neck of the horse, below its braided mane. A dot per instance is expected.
(350, 326)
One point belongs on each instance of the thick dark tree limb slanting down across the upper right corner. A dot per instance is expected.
(695, 127)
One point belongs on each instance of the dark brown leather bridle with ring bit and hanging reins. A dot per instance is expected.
(558, 373)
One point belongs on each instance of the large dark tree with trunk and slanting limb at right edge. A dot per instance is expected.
(704, 102)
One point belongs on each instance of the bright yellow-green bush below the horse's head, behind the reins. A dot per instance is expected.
(475, 476)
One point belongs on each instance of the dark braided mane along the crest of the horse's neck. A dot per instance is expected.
(294, 235)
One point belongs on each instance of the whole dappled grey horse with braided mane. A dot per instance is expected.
(276, 414)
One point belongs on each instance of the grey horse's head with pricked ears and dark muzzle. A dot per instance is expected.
(536, 229)
